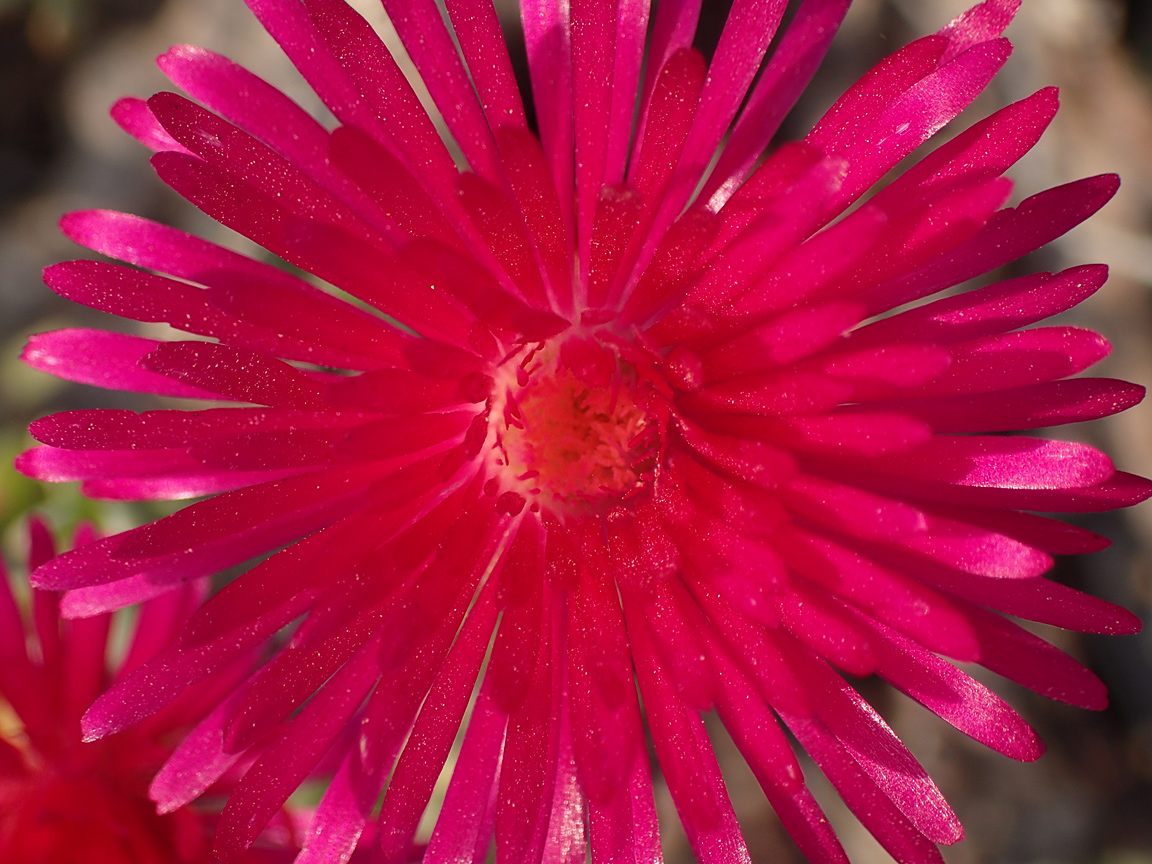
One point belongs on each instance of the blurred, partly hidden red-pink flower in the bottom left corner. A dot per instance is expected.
(64, 801)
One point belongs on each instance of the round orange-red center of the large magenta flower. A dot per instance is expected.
(577, 437)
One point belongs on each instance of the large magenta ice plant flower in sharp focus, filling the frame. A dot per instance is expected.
(631, 423)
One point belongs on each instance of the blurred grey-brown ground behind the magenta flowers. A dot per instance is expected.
(64, 63)
